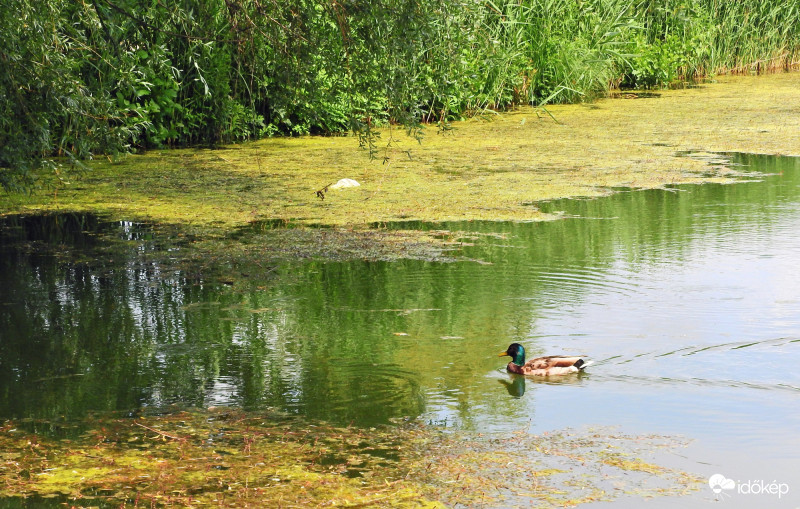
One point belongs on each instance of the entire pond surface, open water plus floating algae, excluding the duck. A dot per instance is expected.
(134, 379)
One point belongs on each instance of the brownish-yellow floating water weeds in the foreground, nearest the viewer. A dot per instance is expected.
(228, 458)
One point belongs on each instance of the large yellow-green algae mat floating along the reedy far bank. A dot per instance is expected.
(496, 167)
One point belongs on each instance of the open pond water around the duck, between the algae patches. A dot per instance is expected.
(686, 299)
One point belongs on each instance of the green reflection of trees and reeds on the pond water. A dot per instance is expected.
(87, 323)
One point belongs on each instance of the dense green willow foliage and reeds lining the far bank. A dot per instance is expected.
(101, 77)
